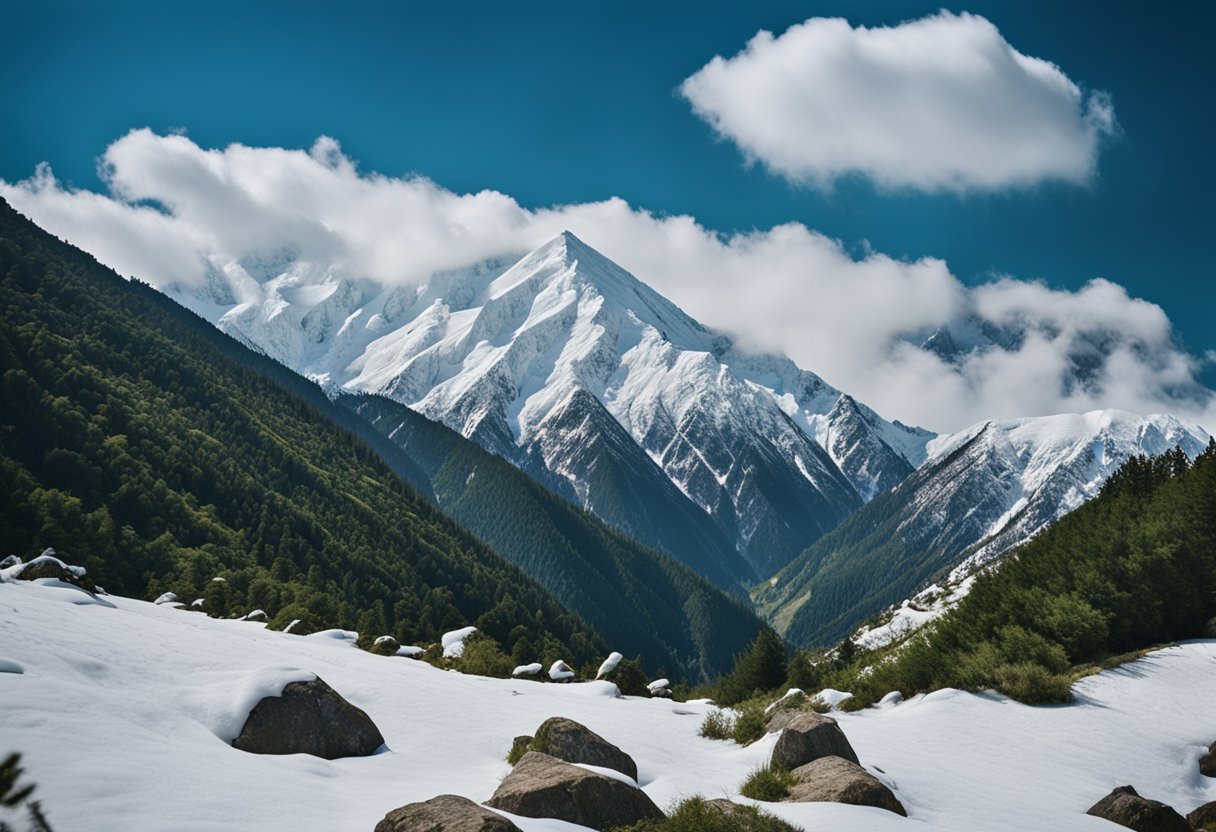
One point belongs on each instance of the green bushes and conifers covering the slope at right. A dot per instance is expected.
(1133, 569)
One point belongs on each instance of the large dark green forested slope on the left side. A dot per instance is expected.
(144, 445)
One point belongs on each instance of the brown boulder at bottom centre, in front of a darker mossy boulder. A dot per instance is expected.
(543, 786)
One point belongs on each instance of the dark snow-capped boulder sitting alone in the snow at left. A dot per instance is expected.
(309, 718)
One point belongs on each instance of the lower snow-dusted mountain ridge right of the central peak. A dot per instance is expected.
(979, 493)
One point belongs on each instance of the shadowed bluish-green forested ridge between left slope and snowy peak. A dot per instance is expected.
(643, 601)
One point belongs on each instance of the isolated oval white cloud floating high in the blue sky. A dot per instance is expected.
(941, 104)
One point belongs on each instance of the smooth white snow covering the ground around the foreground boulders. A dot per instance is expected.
(117, 709)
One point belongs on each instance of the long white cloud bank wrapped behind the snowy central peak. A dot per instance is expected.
(908, 338)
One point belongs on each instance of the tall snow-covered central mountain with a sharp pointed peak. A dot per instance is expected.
(604, 391)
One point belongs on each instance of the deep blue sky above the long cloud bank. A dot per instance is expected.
(571, 103)
